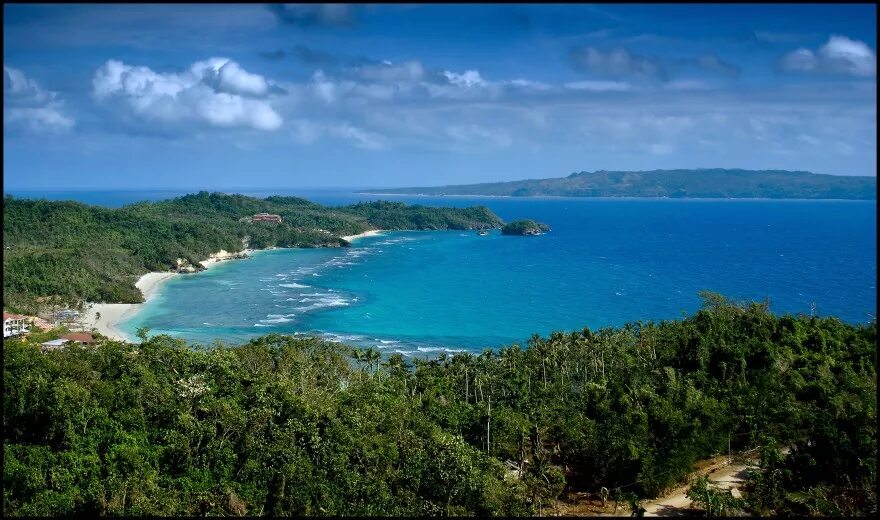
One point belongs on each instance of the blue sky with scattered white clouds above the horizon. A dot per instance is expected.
(358, 95)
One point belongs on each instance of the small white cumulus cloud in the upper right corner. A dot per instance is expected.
(840, 55)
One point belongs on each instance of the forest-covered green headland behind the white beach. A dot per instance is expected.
(79, 252)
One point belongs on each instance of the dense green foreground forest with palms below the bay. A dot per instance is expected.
(289, 426)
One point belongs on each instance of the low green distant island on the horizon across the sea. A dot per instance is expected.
(713, 183)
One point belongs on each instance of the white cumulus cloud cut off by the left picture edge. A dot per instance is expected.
(27, 104)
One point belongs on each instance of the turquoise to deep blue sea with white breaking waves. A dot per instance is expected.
(605, 262)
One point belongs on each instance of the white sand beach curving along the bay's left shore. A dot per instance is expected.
(112, 314)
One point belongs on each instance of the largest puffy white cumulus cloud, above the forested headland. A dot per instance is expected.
(216, 92)
